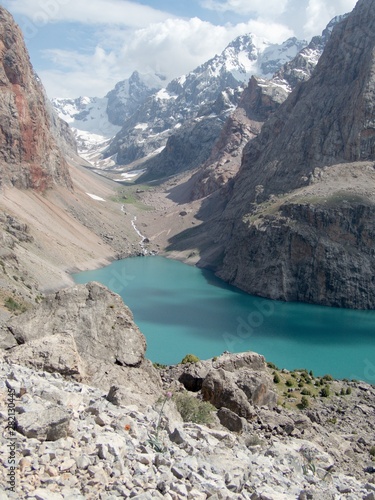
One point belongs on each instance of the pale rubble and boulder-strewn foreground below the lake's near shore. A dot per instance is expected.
(85, 416)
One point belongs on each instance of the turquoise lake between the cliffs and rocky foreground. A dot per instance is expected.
(182, 309)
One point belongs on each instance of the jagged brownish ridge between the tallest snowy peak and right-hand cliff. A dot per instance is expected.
(258, 101)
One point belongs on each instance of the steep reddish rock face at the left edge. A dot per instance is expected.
(29, 154)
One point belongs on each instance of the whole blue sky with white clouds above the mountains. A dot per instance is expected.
(84, 47)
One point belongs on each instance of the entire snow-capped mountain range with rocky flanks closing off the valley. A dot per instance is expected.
(134, 122)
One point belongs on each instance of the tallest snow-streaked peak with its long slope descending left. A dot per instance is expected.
(197, 93)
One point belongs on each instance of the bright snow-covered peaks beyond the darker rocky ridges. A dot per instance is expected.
(150, 112)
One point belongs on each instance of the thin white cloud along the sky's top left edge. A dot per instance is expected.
(116, 12)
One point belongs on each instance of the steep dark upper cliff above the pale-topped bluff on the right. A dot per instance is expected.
(304, 135)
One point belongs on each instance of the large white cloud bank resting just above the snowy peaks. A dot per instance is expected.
(172, 48)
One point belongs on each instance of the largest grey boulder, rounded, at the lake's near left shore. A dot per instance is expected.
(102, 326)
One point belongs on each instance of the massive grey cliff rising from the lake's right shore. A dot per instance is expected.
(318, 249)
